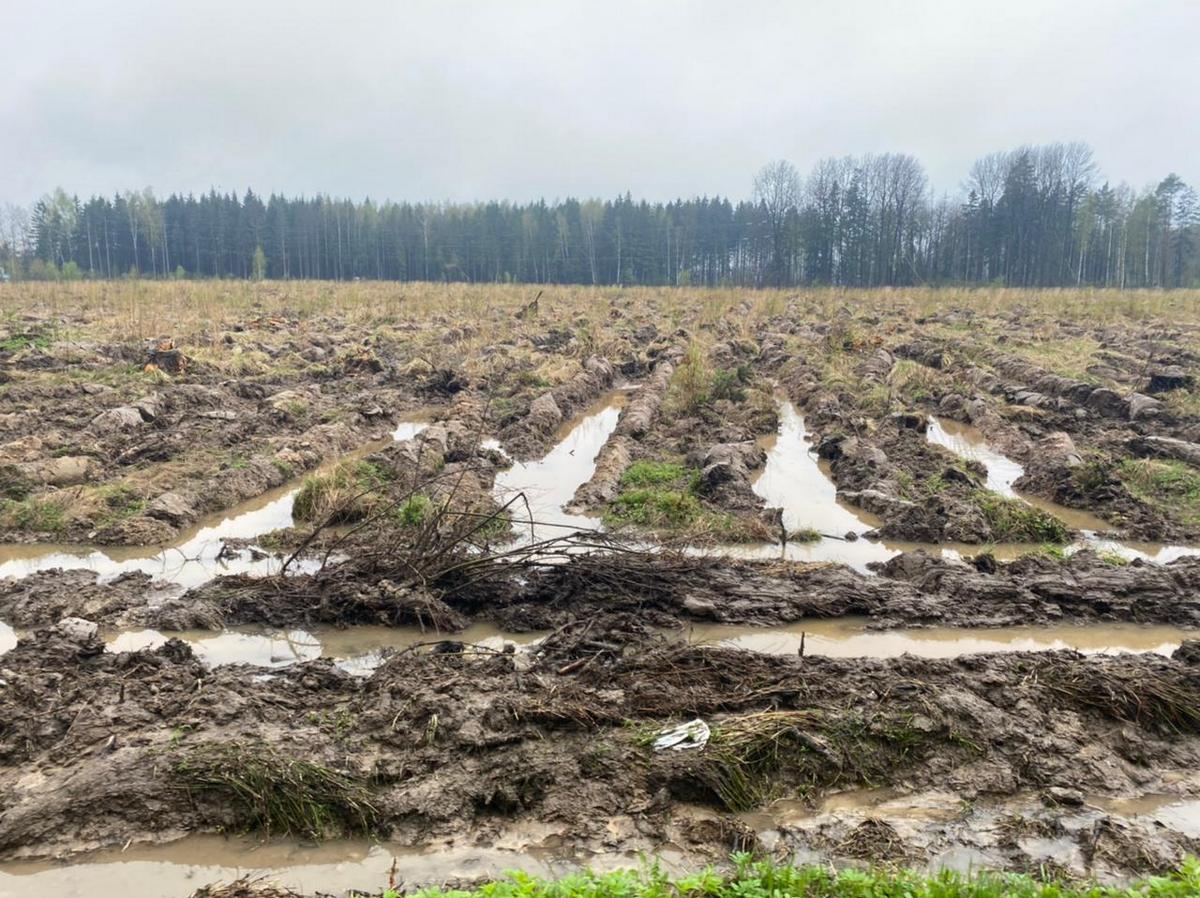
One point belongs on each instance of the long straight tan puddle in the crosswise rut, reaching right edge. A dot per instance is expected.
(849, 638)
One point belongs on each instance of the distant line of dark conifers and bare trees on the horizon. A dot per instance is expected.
(1031, 217)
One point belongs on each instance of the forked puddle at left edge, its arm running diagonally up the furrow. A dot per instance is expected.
(193, 560)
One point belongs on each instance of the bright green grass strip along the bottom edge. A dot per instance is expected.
(765, 879)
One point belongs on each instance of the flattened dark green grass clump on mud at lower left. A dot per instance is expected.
(275, 794)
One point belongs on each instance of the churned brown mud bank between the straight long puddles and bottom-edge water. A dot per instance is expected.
(527, 741)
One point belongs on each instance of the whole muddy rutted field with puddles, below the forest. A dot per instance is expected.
(425, 573)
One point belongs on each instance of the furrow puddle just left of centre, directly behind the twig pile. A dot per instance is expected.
(550, 483)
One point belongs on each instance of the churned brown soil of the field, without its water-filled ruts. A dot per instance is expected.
(461, 743)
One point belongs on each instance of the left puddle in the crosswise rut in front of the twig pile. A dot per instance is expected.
(357, 650)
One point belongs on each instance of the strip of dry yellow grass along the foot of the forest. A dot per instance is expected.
(147, 309)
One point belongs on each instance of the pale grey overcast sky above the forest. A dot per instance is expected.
(515, 99)
